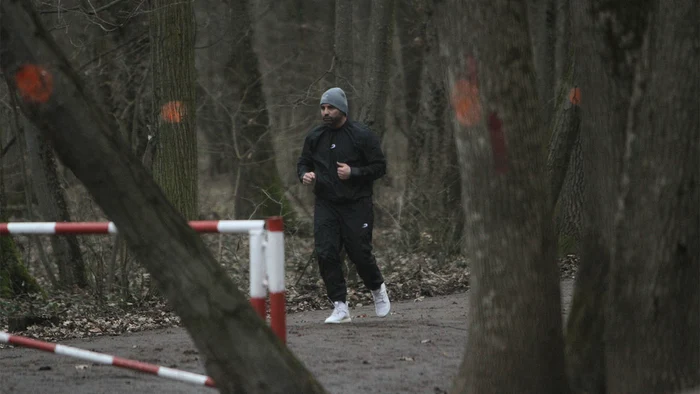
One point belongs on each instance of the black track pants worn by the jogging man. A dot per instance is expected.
(349, 225)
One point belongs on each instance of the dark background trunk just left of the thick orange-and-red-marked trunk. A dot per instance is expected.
(432, 194)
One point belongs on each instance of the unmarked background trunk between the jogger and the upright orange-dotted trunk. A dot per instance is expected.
(259, 189)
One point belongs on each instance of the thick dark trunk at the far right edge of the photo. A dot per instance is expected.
(653, 320)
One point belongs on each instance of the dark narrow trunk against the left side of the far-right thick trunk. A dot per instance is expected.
(601, 153)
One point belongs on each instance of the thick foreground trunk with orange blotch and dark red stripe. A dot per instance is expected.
(515, 340)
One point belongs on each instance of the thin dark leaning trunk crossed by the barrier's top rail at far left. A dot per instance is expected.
(51, 198)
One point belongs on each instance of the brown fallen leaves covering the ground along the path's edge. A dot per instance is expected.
(409, 276)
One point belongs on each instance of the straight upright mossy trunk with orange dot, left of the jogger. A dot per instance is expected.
(175, 166)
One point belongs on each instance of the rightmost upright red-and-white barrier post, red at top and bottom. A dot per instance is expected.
(274, 262)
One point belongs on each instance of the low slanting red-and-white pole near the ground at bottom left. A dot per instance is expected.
(101, 358)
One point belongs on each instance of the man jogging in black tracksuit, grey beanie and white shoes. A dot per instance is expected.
(343, 158)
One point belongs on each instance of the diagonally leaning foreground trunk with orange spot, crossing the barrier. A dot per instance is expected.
(241, 353)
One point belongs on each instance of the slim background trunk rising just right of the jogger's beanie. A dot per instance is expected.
(378, 60)
